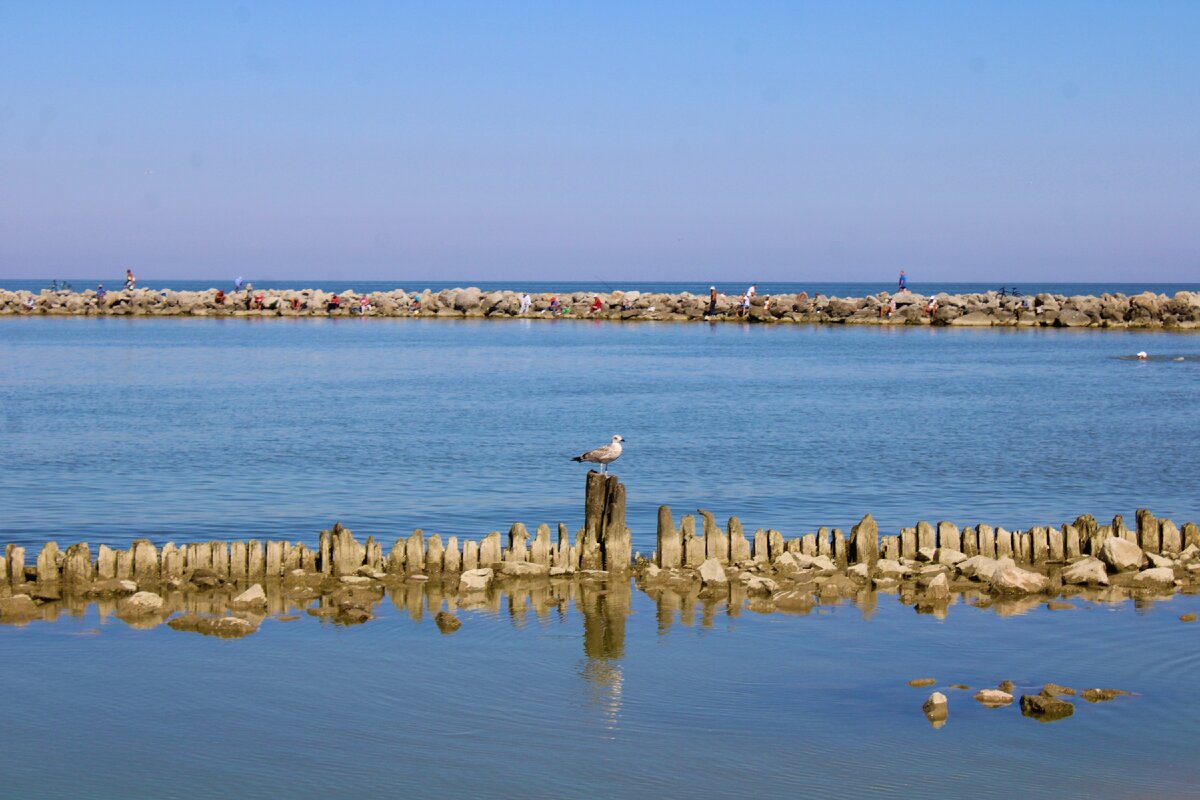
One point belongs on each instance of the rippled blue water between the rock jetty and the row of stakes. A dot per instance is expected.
(201, 429)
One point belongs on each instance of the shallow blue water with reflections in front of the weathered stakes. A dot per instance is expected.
(580, 700)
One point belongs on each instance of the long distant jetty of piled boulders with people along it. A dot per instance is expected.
(1144, 311)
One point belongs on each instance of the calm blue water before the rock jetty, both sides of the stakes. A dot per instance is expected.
(115, 429)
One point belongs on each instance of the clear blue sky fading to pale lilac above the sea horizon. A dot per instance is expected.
(573, 141)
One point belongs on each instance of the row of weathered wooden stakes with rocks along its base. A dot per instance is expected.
(927, 566)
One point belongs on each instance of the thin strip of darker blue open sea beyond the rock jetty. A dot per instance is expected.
(830, 288)
